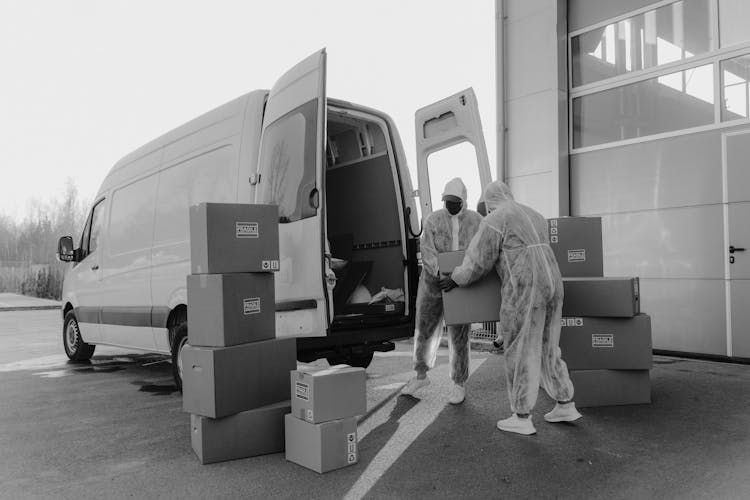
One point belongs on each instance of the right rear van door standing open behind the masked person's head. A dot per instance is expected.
(450, 122)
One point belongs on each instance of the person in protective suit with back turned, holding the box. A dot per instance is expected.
(513, 240)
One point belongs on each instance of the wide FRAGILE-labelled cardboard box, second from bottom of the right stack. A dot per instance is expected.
(607, 343)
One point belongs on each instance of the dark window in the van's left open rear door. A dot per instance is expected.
(287, 163)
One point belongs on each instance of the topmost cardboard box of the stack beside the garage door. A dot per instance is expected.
(577, 245)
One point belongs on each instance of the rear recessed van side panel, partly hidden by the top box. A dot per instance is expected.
(210, 177)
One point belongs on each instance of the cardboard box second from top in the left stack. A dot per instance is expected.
(230, 309)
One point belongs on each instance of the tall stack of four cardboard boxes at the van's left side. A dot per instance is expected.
(235, 372)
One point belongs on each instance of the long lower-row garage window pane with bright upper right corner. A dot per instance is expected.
(671, 102)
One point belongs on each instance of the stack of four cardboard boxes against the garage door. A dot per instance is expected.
(605, 340)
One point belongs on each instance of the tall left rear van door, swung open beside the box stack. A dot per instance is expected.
(291, 175)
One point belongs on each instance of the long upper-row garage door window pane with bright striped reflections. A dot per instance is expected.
(671, 33)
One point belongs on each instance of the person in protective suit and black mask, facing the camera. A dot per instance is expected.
(445, 230)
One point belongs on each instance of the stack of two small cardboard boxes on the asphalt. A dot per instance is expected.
(321, 431)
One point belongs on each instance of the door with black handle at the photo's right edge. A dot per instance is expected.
(736, 148)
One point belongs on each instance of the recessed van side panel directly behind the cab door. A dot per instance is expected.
(131, 219)
